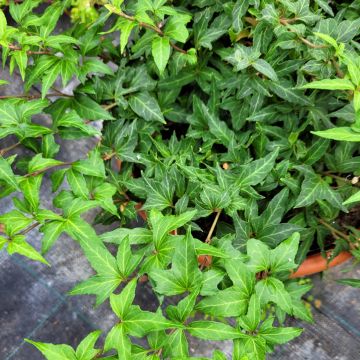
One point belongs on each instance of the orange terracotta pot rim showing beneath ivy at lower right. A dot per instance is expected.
(316, 263)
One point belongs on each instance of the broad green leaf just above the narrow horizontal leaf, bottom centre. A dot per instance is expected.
(225, 303)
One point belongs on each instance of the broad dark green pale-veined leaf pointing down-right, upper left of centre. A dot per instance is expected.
(146, 106)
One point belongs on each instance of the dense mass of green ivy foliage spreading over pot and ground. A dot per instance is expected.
(211, 114)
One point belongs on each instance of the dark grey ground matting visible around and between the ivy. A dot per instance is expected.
(33, 301)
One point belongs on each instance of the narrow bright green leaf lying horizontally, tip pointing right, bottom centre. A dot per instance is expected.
(212, 330)
